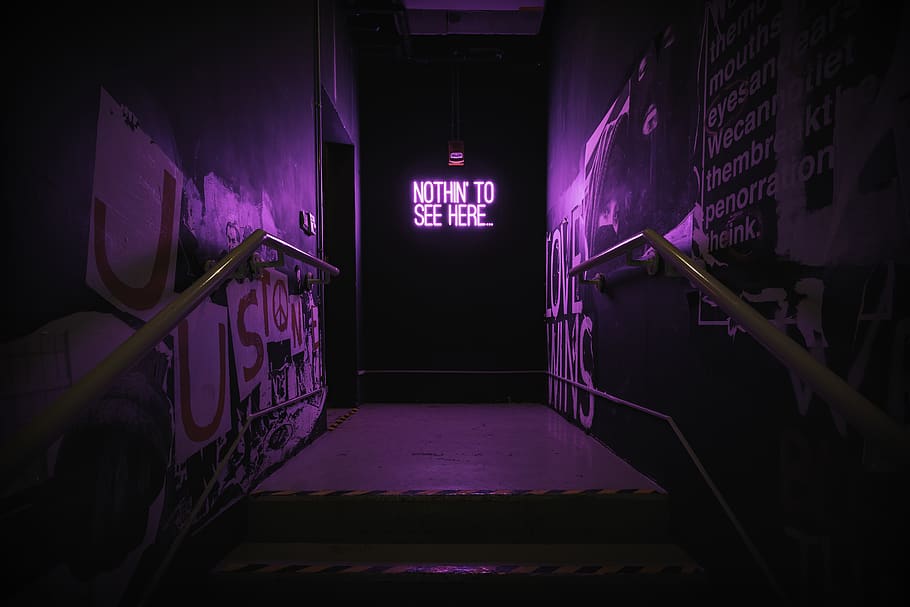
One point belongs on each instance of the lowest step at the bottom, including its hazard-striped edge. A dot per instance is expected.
(452, 572)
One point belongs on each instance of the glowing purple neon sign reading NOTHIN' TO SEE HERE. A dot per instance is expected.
(452, 204)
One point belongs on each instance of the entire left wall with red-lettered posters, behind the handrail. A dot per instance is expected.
(221, 99)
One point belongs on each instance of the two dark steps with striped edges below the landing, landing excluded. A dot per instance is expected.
(447, 545)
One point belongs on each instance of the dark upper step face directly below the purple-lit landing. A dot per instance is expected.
(544, 516)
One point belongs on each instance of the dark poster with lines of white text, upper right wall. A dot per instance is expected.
(784, 88)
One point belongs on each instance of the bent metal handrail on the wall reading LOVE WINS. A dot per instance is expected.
(873, 423)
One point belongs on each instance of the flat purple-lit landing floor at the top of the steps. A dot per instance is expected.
(403, 447)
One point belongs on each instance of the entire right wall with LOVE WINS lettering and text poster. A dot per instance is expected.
(763, 138)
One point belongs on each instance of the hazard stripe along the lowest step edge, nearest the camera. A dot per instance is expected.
(458, 569)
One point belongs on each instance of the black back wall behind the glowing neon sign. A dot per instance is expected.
(445, 299)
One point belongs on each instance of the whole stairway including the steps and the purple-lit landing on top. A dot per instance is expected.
(442, 544)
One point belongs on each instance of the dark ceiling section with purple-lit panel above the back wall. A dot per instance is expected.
(447, 31)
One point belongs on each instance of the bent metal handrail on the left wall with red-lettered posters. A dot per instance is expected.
(44, 429)
